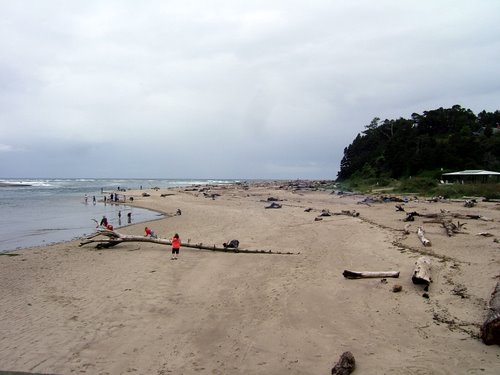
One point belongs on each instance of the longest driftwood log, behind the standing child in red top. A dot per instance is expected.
(113, 238)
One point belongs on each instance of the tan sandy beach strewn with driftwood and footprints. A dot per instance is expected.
(131, 310)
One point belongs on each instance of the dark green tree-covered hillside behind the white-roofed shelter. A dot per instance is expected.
(447, 139)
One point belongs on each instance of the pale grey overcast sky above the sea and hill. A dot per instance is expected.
(228, 89)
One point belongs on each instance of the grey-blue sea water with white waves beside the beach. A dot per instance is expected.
(38, 212)
